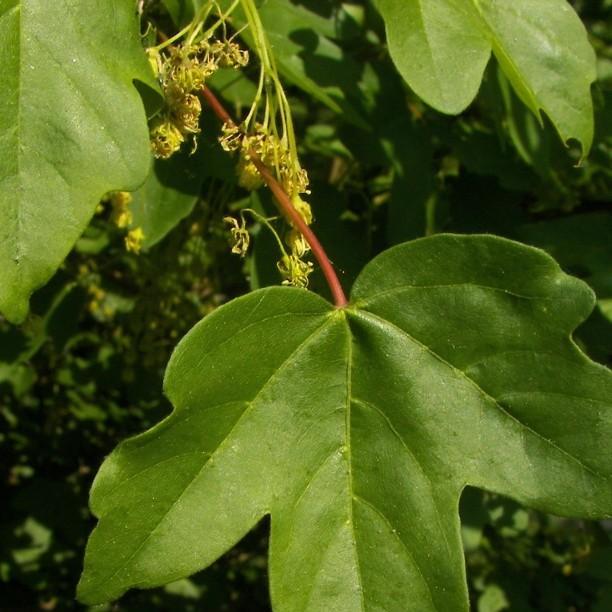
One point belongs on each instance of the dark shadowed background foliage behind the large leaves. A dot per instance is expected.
(95, 377)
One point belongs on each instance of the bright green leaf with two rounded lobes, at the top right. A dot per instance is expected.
(441, 48)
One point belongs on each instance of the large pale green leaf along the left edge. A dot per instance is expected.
(72, 127)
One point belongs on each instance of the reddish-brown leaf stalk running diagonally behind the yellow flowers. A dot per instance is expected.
(286, 207)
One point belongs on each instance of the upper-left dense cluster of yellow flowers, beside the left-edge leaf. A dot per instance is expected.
(182, 72)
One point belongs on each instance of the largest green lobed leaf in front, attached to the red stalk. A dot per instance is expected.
(357, 429)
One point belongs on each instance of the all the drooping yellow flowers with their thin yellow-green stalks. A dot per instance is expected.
(182, 69)
